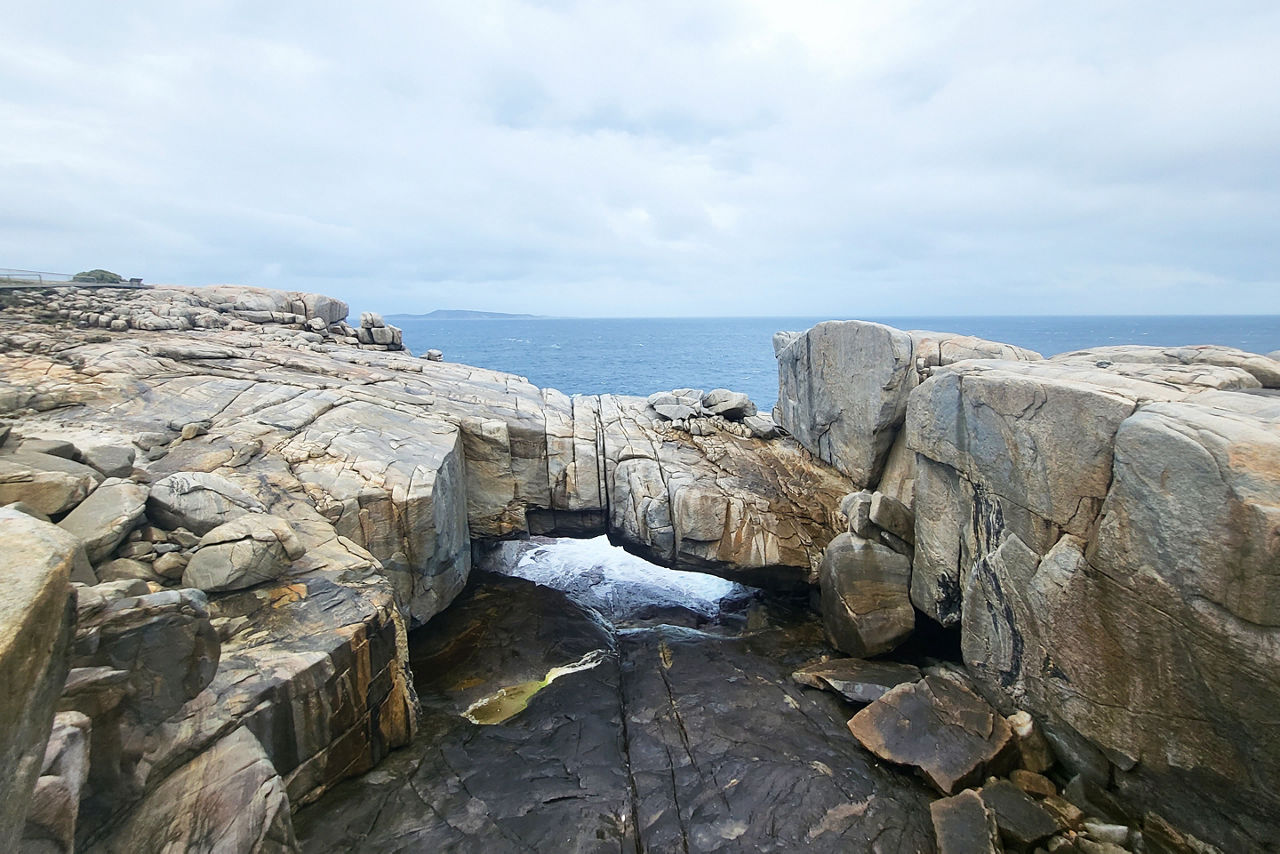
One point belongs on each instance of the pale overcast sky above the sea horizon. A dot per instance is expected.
(656, 158)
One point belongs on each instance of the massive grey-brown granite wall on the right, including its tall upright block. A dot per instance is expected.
(1104, 531)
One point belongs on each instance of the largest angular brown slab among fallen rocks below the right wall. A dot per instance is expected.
(941, 728)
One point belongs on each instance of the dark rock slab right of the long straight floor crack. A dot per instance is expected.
(729, 756)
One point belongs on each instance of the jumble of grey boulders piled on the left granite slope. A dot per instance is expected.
(143, 559)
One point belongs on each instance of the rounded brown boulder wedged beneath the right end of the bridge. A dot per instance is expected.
(866, 599)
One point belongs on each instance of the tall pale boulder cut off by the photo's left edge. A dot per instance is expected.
(36, 615)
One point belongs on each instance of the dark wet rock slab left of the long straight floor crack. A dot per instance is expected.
(550, 779)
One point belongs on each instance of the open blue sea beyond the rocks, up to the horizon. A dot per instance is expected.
(644, 355)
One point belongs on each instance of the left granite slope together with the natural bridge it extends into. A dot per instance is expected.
(324, 499)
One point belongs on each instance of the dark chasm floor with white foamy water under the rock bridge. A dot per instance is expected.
(632, 710)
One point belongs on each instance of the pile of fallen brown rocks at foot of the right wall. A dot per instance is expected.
(1002, 787)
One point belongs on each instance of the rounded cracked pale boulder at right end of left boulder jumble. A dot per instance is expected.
(244, 552)
